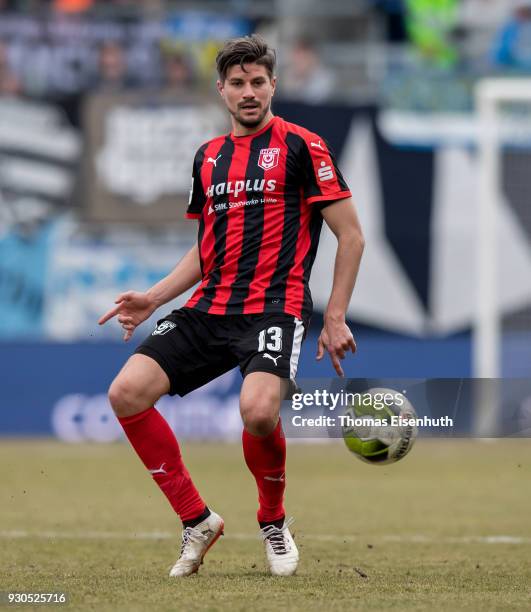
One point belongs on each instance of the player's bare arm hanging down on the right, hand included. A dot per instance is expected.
(336, 337)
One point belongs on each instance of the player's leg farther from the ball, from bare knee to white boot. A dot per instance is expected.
(133, 394)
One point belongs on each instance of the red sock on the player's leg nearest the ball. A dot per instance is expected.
(266, 458)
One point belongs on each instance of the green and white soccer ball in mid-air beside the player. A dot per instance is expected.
(377, 426)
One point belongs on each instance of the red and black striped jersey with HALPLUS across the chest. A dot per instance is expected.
(258, 199)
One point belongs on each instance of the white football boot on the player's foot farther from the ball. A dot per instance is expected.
(196, 543)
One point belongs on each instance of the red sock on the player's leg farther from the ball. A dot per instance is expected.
(156, 445)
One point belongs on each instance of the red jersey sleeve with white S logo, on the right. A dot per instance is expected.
(323, 181)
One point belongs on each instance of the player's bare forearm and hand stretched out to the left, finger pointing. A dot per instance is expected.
(134, 307)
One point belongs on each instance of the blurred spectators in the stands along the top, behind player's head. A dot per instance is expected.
(61, 49)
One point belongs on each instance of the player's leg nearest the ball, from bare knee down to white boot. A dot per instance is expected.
(264, 448)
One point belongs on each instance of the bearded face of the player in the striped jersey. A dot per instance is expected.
(247, 93)
